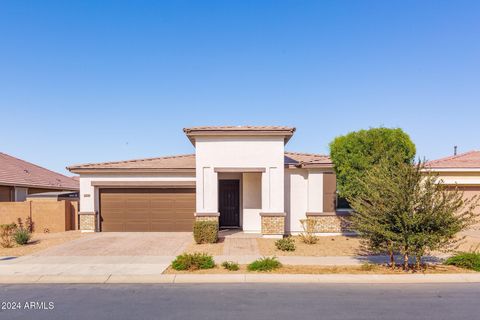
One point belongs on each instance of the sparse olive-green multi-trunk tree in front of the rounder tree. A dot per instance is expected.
(408, 209)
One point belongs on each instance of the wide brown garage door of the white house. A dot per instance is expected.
(147, 209)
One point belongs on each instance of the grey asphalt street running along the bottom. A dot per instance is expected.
(241, 301)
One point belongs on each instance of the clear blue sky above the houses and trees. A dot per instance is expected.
(90, 81)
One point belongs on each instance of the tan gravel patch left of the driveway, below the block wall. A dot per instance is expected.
(40, 241)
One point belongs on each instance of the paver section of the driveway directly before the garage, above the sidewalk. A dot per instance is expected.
(109, 244)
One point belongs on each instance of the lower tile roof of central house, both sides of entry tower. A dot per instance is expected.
(188, 162)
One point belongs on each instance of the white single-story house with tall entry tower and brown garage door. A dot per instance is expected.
(240, 176)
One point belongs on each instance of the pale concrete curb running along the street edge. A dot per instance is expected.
(244, 278)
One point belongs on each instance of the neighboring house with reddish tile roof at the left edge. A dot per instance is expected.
(19, 178)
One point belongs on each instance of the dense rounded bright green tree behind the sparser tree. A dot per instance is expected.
(357, 152)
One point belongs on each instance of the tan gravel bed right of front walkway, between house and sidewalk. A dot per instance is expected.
(326, 246)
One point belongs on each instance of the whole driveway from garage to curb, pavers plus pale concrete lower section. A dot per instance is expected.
(100, 254)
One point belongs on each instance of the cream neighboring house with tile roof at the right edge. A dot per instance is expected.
(460, 171)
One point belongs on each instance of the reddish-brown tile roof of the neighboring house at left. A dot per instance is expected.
(17, 172)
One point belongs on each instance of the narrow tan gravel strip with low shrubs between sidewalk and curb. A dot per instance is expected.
(289, 269)
